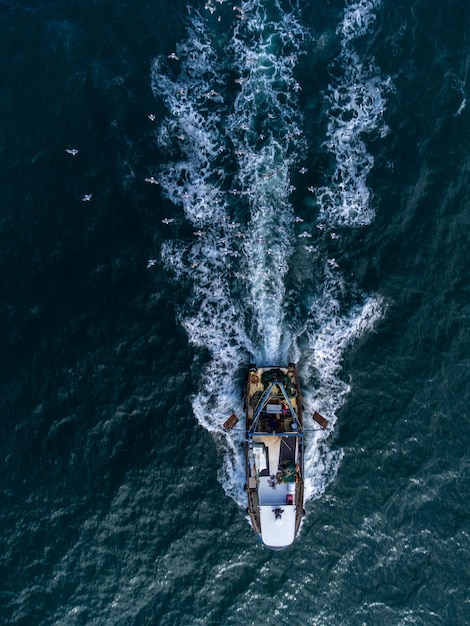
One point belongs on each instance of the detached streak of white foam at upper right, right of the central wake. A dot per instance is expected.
(356, 102)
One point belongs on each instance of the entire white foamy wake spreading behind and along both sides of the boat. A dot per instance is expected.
(233, 140)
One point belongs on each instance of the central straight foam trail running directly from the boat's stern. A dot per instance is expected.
(265, 128)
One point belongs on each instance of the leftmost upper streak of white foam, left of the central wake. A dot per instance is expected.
(192, 130)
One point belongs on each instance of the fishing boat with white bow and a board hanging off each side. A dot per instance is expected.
(274, 453)
